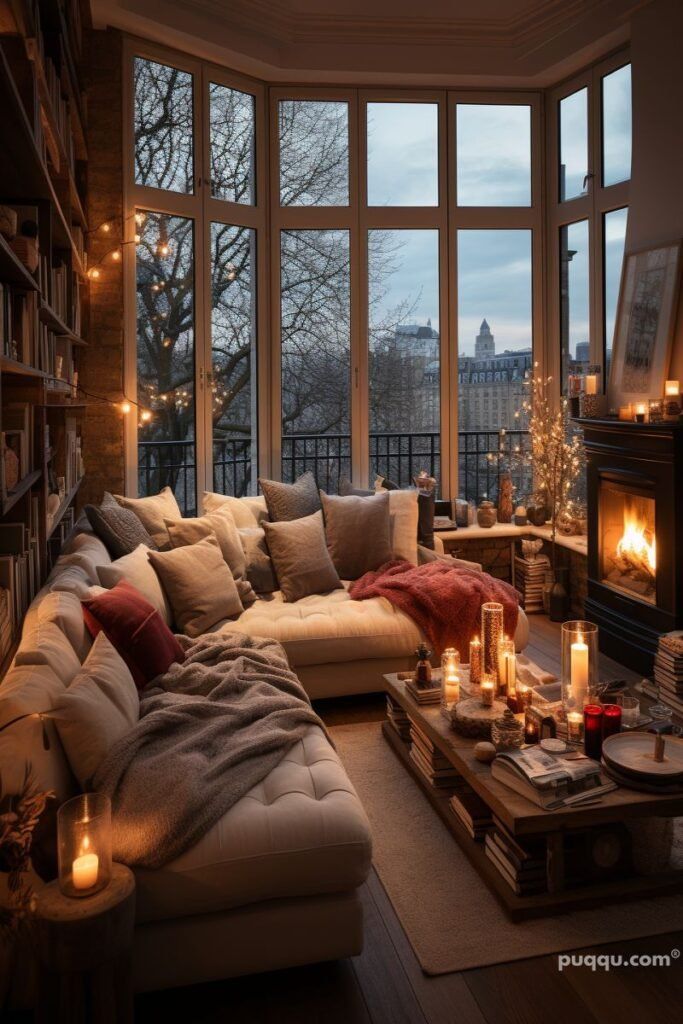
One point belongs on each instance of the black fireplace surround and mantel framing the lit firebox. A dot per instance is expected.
(645, 459)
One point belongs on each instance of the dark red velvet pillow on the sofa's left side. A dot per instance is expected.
(136, 629)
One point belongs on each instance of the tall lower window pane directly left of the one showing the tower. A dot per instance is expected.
(404, 344)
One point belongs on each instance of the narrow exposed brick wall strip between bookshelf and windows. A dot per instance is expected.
(102, 366)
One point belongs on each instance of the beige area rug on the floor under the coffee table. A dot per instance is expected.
(451, 919)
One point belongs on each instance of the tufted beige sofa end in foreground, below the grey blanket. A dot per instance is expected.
(301, 832)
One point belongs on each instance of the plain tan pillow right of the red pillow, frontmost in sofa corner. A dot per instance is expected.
(199, 584)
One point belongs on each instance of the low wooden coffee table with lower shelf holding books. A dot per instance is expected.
(527, 823)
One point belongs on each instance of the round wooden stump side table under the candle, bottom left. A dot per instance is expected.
(84, 951)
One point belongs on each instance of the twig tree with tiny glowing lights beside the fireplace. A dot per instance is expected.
(557, 449)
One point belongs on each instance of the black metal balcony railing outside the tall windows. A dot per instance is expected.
(395, 456)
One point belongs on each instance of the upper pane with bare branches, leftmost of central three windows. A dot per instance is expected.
(314, 153)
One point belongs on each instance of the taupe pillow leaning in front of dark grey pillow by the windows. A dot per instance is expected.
(301, 557)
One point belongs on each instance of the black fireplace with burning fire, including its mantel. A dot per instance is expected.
(635, 543)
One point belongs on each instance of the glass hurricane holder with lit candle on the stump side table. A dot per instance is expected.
(84, 844)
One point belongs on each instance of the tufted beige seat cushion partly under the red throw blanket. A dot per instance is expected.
(330, 628)
